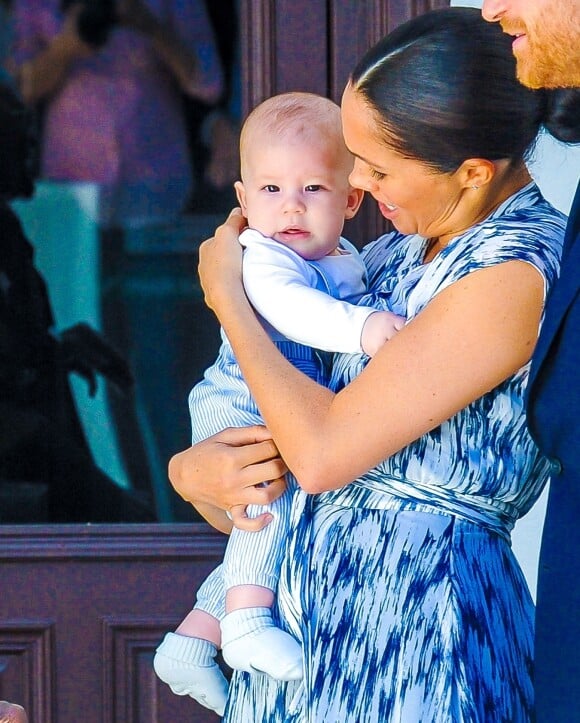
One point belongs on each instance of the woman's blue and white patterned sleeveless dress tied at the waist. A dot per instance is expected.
(402, 586)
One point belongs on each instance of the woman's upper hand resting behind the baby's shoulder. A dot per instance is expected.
(220, 261)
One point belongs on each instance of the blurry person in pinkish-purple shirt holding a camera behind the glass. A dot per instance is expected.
(108, 78)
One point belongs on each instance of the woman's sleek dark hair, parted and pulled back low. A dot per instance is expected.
(443, 87)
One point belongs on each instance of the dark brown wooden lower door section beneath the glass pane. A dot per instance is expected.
(83, 608)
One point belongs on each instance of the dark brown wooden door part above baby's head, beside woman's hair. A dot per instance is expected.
(305, 45)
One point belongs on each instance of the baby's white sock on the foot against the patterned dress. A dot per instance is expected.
(251, 642)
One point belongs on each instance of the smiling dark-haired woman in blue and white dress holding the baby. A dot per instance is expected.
(399, 580)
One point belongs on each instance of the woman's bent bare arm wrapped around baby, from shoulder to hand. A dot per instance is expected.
(470, 338)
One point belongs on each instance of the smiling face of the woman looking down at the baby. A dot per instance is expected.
(416, 199)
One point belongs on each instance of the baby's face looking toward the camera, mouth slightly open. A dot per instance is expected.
(297, 192)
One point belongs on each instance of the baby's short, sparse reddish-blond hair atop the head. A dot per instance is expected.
(297, 115)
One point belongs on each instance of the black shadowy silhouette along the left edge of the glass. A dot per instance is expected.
(47, 473)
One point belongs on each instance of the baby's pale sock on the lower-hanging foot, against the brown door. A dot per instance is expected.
(188, 666)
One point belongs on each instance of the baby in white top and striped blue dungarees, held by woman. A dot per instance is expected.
(304, 280)
